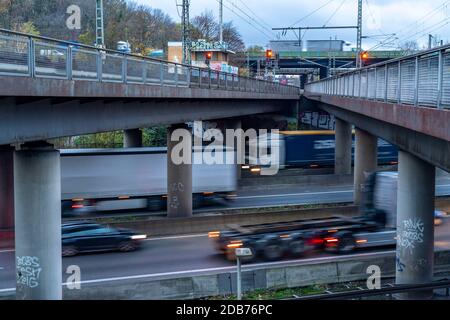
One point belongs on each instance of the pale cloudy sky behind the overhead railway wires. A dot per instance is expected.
(409, 19)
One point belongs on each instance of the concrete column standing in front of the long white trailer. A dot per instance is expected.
(179, 175)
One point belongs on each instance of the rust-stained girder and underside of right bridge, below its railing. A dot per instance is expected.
(422, 131)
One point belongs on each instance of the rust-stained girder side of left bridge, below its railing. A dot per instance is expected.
(35, 109)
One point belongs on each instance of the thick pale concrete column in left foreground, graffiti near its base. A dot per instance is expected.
(37, 202)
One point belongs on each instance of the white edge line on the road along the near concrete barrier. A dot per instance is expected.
(230, 268)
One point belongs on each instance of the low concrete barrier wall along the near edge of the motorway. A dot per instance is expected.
(340, 270)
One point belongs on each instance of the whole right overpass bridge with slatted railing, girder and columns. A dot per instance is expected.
(405, 101)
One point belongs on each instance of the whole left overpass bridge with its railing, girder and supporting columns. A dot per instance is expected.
(51, 88)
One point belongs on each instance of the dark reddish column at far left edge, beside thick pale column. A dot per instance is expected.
(6, 188)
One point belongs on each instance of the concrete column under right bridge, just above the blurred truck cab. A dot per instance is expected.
(366, 149)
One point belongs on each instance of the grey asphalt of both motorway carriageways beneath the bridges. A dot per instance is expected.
(177, 256)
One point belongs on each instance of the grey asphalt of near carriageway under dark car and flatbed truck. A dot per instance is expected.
(168, 257)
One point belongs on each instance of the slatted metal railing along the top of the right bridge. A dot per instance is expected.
(422, 79)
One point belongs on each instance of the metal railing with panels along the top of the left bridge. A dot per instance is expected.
(41, 57)
